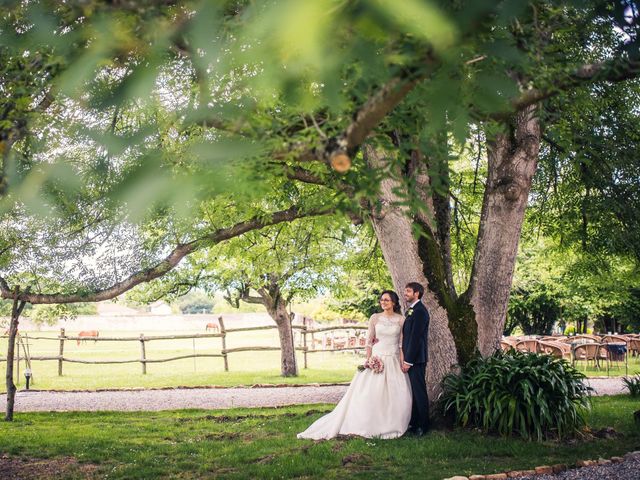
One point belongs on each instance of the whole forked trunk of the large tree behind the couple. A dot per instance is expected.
(460, 326)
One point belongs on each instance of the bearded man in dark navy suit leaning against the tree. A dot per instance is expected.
(414, 348)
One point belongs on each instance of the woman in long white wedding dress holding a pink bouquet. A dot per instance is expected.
(375, 404)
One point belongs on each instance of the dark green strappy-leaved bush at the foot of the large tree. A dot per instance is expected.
(514, 393)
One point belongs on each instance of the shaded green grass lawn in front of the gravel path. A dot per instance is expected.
(261, 443)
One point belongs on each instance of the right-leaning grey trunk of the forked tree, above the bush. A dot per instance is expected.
(512, 157)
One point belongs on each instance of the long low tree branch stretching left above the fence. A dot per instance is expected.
(167, 264)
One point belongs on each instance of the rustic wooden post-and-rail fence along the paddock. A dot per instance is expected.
(346, 344)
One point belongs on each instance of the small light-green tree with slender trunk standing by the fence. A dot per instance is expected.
(275, 266)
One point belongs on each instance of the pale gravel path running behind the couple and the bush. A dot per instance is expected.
(207, 398)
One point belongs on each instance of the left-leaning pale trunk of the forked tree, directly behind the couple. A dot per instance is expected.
(394, 230)
